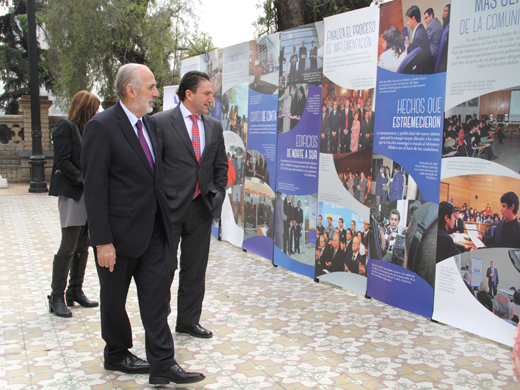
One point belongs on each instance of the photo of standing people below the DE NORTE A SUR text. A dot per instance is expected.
(295, 224)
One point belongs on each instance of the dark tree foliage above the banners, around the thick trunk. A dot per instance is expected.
(315, 10)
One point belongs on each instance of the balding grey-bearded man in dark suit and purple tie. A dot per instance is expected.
(128, 223)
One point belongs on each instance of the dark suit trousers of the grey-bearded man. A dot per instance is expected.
(148, 271)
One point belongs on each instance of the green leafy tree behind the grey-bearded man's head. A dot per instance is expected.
(91, 39)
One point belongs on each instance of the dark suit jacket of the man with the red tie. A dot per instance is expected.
(181, 170)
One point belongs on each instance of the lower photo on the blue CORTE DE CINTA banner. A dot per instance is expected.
(258, 209)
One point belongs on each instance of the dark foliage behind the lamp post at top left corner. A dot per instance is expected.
(14, 56)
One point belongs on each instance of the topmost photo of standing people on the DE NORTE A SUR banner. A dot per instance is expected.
(301, 56)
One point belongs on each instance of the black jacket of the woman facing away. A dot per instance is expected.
(66, 177)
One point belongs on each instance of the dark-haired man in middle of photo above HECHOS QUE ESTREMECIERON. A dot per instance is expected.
(423, 64)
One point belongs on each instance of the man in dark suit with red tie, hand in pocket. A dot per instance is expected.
(195, 170)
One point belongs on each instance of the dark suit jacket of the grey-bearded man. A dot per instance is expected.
(122, 194)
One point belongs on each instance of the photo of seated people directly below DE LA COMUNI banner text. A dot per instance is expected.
(487, 127)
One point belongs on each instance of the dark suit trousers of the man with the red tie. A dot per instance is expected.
(195, 230)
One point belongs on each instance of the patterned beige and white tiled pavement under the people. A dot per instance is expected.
(273, 329)
